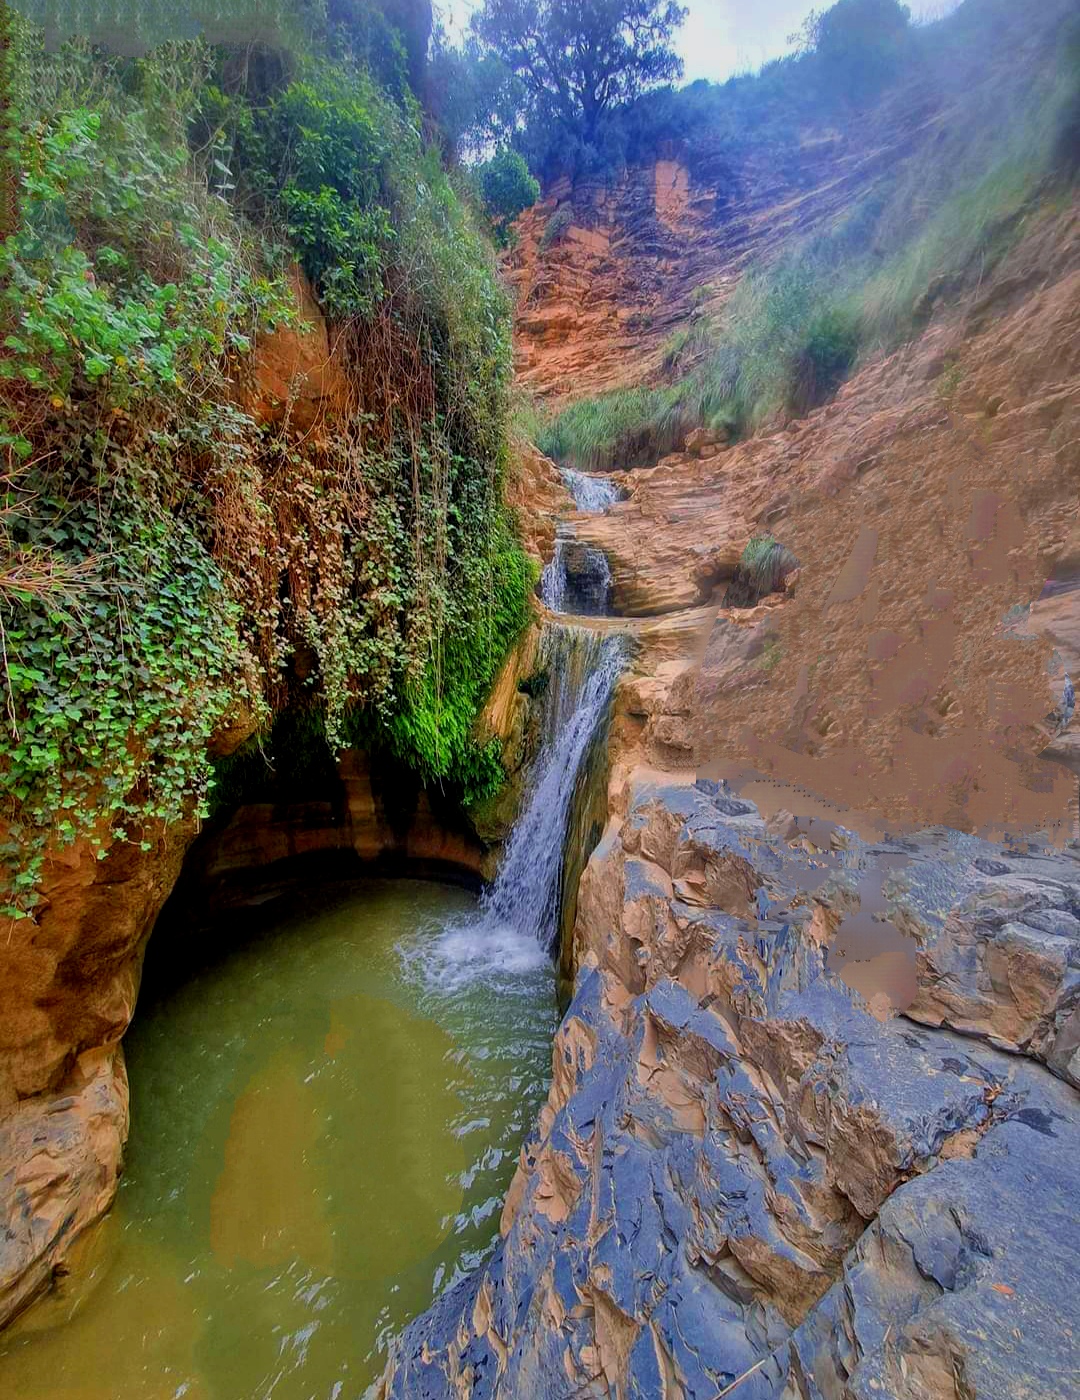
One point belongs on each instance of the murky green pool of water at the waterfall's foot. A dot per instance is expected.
(324, 1125)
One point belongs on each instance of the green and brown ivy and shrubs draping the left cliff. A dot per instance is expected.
(216, 503)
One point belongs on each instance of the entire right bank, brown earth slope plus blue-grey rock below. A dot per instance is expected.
(813, 1118)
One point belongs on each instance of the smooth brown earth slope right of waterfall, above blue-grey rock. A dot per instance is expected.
(911, 670)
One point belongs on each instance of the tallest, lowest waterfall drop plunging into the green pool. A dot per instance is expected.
(583, 670)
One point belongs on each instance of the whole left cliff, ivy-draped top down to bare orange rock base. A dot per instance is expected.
(254, 386)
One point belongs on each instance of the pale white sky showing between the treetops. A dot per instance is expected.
(725, 37)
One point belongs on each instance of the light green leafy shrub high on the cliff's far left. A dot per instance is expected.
(159, 296)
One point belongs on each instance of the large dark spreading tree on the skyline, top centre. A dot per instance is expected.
(579, 58)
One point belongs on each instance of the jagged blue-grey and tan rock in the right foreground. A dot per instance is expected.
(752, 1172)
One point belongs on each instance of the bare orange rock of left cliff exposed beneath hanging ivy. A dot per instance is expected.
(69, 978)
